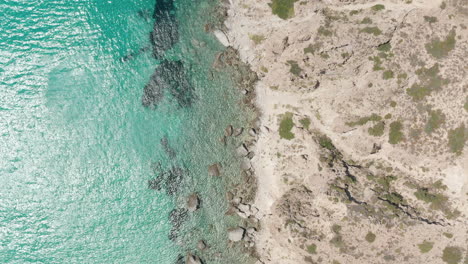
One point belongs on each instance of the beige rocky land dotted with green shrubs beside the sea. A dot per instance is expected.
(361, 151)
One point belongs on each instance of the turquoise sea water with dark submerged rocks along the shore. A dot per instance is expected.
(96, 159)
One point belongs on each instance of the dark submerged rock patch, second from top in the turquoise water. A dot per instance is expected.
(169, 76)
